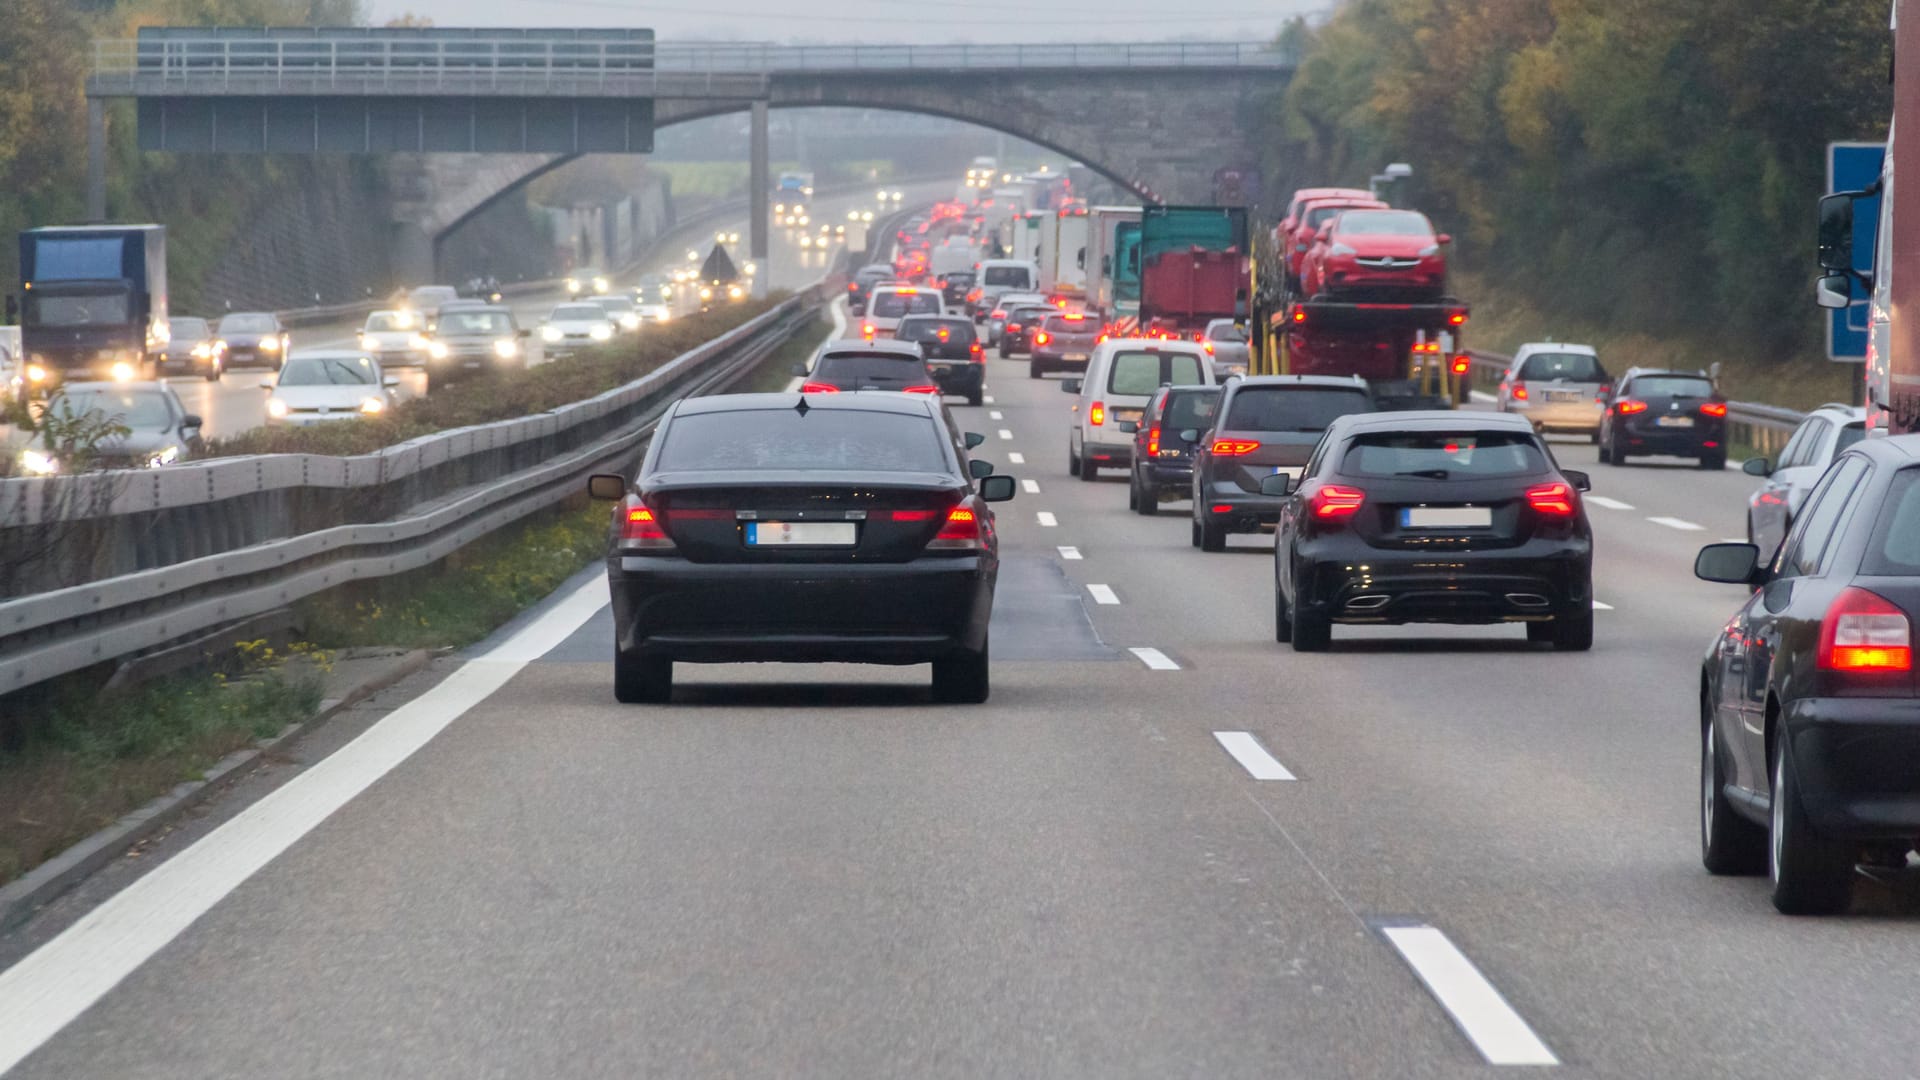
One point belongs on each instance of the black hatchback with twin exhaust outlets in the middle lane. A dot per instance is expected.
(1433, 518)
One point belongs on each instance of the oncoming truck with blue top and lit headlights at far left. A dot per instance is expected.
(93, 303)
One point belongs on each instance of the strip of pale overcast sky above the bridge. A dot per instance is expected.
(876, 20)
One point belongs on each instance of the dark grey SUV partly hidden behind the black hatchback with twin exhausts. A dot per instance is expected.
(1264, 428)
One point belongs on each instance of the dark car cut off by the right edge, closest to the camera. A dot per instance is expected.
(1810, 706)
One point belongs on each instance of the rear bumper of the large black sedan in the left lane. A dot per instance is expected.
(802, 612)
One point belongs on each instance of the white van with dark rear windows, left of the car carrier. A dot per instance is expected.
(1122, 376)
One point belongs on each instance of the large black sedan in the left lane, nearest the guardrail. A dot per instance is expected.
(809, 529)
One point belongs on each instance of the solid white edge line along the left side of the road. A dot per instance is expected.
(62, 979)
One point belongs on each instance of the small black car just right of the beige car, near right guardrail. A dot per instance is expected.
(1666, 412)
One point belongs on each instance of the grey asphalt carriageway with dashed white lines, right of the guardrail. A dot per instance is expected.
(1164, 848)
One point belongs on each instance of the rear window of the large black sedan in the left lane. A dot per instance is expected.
(788, 439)
